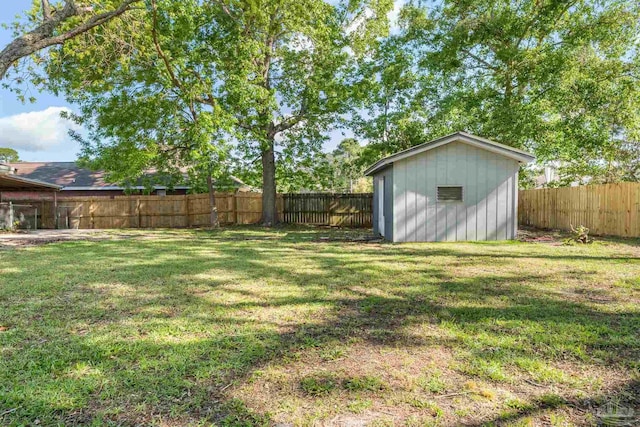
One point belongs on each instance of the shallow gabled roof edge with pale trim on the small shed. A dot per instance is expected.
(505, 150)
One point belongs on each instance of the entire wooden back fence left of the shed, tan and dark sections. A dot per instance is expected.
(347, 210)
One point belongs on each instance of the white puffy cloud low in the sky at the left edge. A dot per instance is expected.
(37, 130)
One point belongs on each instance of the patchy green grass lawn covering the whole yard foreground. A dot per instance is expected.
(252, 327)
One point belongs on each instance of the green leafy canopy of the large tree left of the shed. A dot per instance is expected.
(177, 84)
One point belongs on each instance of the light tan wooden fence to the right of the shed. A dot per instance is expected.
(608, 209)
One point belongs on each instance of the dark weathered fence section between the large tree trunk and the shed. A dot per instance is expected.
(342, 210)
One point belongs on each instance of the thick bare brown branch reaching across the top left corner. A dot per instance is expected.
(44, 35)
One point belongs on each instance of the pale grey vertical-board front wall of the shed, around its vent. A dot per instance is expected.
(489, 207)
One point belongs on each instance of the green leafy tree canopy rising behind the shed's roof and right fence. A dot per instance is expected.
(560, 78)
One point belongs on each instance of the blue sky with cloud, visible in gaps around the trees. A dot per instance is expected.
(36, 130)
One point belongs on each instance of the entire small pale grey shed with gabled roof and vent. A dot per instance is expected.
(455, 188)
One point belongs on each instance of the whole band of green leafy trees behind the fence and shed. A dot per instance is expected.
(252, 87)
